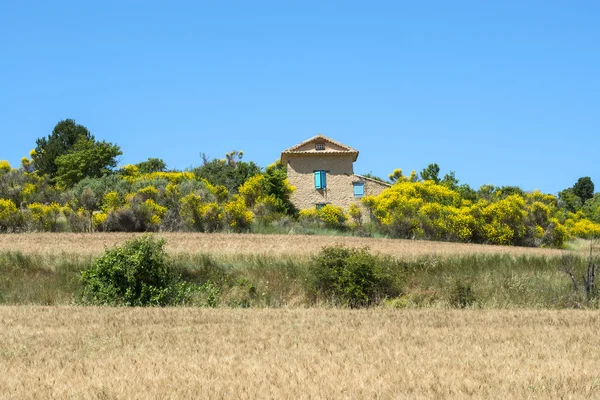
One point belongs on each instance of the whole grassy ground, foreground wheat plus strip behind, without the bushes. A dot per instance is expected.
(285, 346)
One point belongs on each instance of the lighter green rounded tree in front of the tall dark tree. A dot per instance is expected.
(88, 159)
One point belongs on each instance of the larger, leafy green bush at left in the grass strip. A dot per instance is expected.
(134, 274)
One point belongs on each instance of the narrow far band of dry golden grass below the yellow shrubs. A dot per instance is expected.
(244, 244)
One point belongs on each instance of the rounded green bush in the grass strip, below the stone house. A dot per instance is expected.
(353, 277)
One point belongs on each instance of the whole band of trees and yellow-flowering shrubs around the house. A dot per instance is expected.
(71, 182)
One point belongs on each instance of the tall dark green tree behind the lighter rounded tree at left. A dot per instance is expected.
(62, 140)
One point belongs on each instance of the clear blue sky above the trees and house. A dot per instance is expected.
(501, 92)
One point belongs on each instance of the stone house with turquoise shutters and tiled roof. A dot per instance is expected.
(322, 171)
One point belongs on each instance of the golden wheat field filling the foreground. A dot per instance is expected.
(108, 353)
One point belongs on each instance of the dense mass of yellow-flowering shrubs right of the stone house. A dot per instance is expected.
(504, 216)
